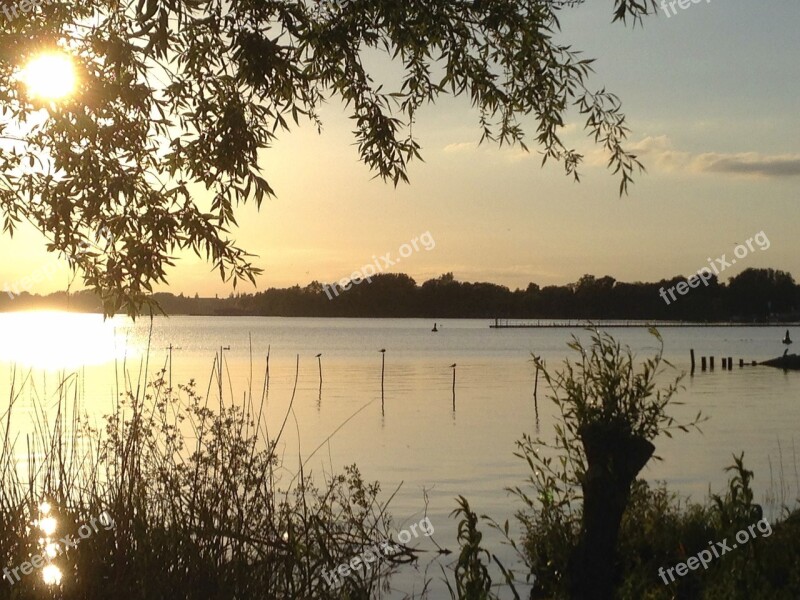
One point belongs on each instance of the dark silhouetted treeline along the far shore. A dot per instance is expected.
(753, 295)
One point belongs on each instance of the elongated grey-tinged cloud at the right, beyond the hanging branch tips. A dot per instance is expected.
(658, 151)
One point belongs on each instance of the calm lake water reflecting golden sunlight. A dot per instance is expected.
(417, 441)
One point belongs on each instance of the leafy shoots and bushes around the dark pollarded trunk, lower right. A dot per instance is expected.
(658, 529)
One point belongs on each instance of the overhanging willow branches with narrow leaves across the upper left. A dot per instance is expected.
(178, 100)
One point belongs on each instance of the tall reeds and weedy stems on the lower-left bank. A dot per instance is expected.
(194, 491)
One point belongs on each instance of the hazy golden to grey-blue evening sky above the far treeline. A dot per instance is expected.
(711, 99)
